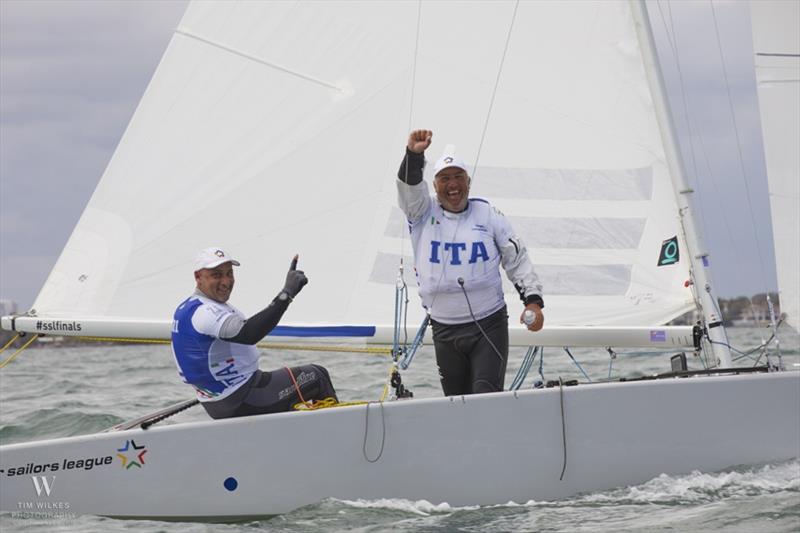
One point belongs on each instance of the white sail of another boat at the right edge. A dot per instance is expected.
(776, 43)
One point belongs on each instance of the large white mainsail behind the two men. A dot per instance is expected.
(275, 128)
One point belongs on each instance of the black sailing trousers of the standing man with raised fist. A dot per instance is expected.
(471, 361)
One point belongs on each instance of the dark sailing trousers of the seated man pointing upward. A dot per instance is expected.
(274, 392)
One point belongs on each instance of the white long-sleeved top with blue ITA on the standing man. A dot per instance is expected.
(470, 246)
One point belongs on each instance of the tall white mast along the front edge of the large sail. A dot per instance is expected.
(698, 256)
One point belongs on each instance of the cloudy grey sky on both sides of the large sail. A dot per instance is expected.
(72, 73)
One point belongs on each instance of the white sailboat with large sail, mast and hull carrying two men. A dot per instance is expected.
(270, 127)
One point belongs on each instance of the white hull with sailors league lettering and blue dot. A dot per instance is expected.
(482, 449)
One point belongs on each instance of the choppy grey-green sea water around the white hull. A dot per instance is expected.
(56, 391)
